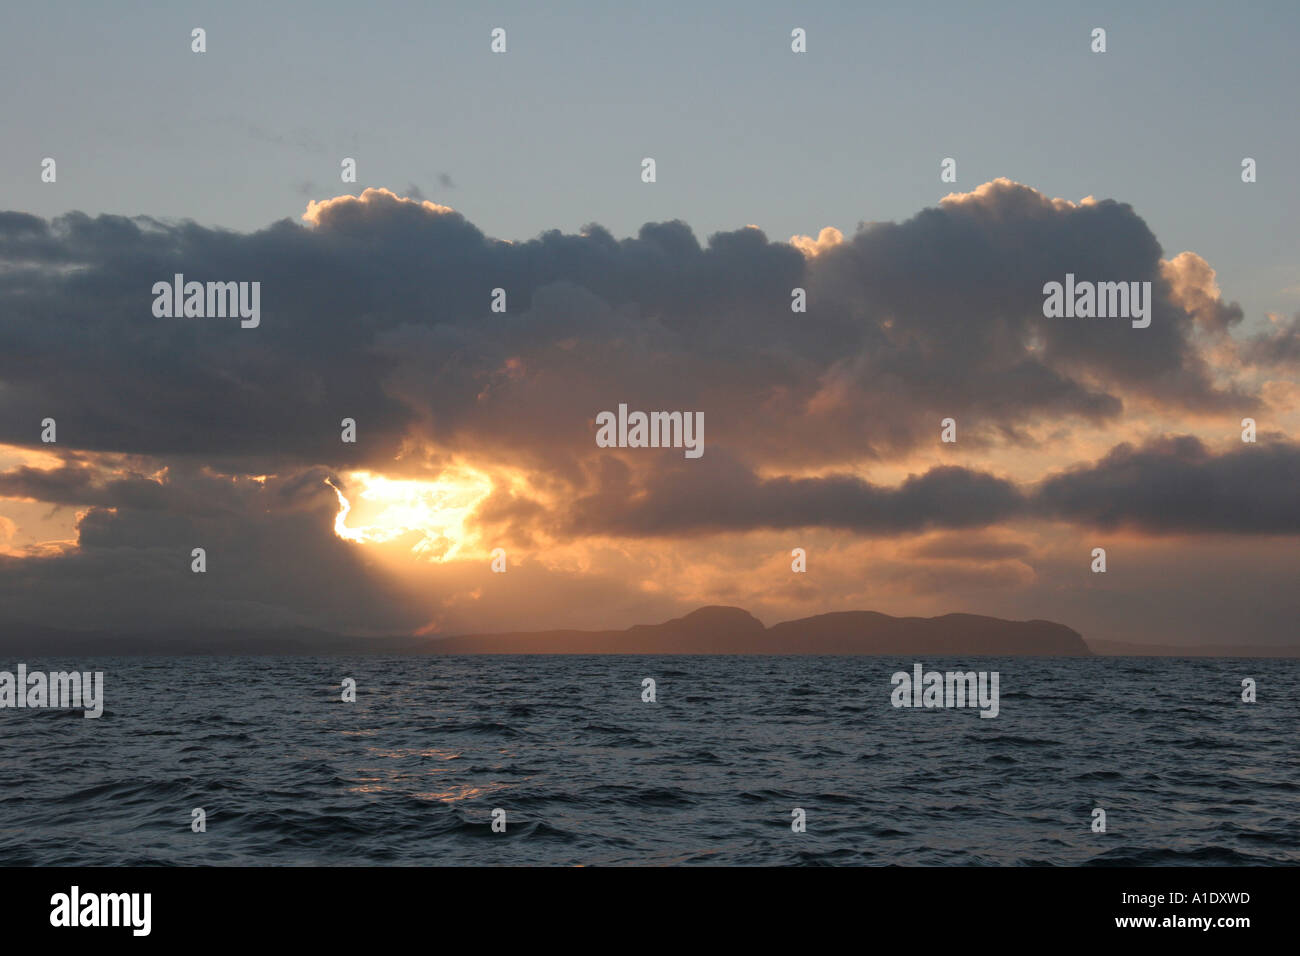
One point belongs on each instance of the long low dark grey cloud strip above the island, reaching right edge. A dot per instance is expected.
(1169, 486)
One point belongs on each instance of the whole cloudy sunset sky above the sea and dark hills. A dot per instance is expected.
(774, 171)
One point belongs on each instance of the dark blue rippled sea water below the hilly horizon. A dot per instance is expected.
(590, 775)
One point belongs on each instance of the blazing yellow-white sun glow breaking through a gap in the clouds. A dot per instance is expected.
(432, 513)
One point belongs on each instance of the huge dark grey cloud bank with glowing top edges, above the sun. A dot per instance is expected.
(382, 313)
